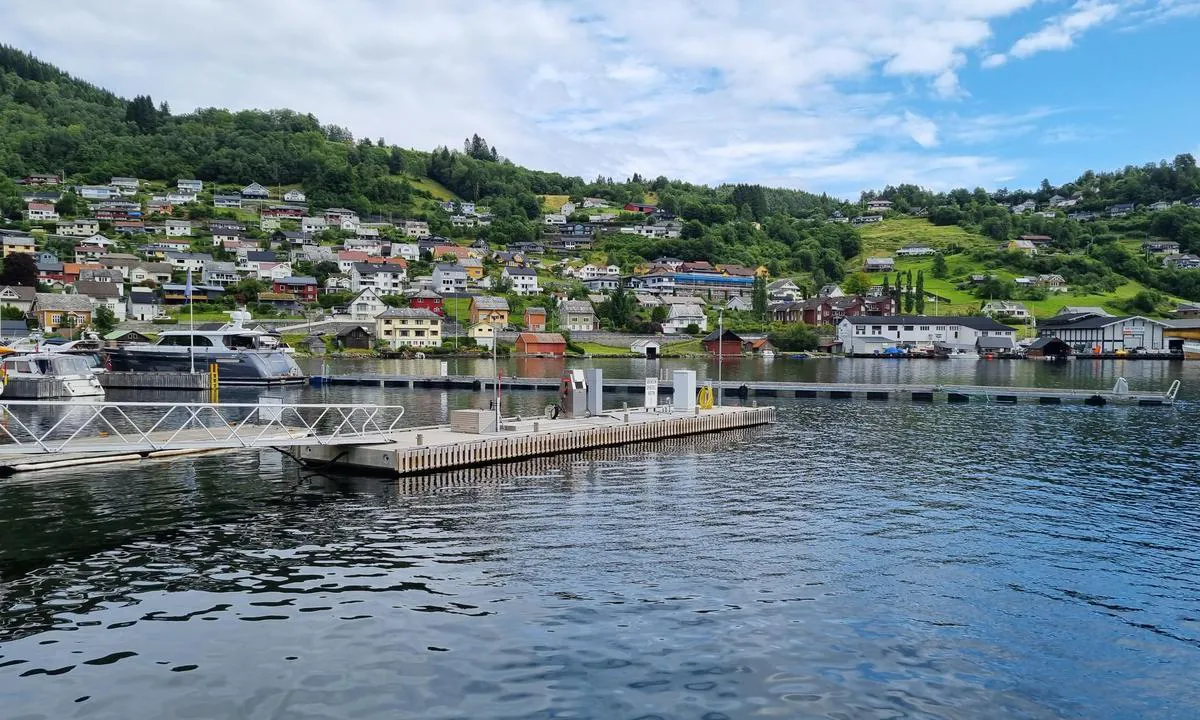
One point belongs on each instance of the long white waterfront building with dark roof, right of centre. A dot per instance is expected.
(866, 335)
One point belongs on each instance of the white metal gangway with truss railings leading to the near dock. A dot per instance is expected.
(45, 428)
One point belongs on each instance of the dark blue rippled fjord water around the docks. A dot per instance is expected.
(855, 561)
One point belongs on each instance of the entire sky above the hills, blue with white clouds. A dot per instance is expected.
(825, 97)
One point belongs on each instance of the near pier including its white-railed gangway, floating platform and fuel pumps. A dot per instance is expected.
(37, 436)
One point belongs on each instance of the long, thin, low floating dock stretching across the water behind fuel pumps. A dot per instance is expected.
(746, 389)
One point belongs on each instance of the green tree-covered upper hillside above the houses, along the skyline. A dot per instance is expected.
(53, 123)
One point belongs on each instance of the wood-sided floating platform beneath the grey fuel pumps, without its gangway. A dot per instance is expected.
(421, 451)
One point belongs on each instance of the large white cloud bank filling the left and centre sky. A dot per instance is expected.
(719, 92)
